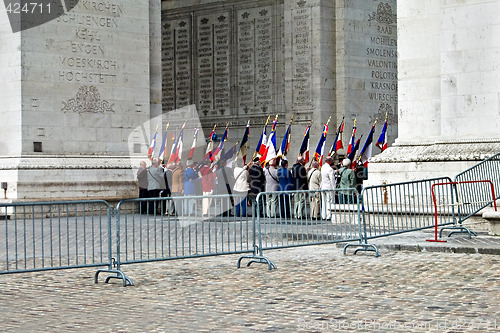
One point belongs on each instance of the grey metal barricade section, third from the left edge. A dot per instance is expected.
(299, 218)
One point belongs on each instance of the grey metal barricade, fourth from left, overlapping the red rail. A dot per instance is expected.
(392, 209)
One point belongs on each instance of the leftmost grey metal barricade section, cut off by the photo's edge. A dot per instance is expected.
(55, 235)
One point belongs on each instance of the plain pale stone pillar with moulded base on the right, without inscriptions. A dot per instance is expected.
(449, 83)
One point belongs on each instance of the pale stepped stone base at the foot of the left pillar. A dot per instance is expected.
(68, 177)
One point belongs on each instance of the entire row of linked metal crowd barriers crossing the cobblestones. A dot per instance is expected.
(71, 234)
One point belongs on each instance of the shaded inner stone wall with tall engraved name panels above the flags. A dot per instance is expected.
(239, 60)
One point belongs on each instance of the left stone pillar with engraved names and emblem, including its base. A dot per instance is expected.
(81, 83)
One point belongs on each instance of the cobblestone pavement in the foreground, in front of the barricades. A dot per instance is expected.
(314, 289)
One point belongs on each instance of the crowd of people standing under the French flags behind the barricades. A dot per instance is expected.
(241, 184)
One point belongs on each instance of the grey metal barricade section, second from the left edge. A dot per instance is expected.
(157, 229)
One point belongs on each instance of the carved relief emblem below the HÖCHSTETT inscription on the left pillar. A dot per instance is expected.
(88, 100)
